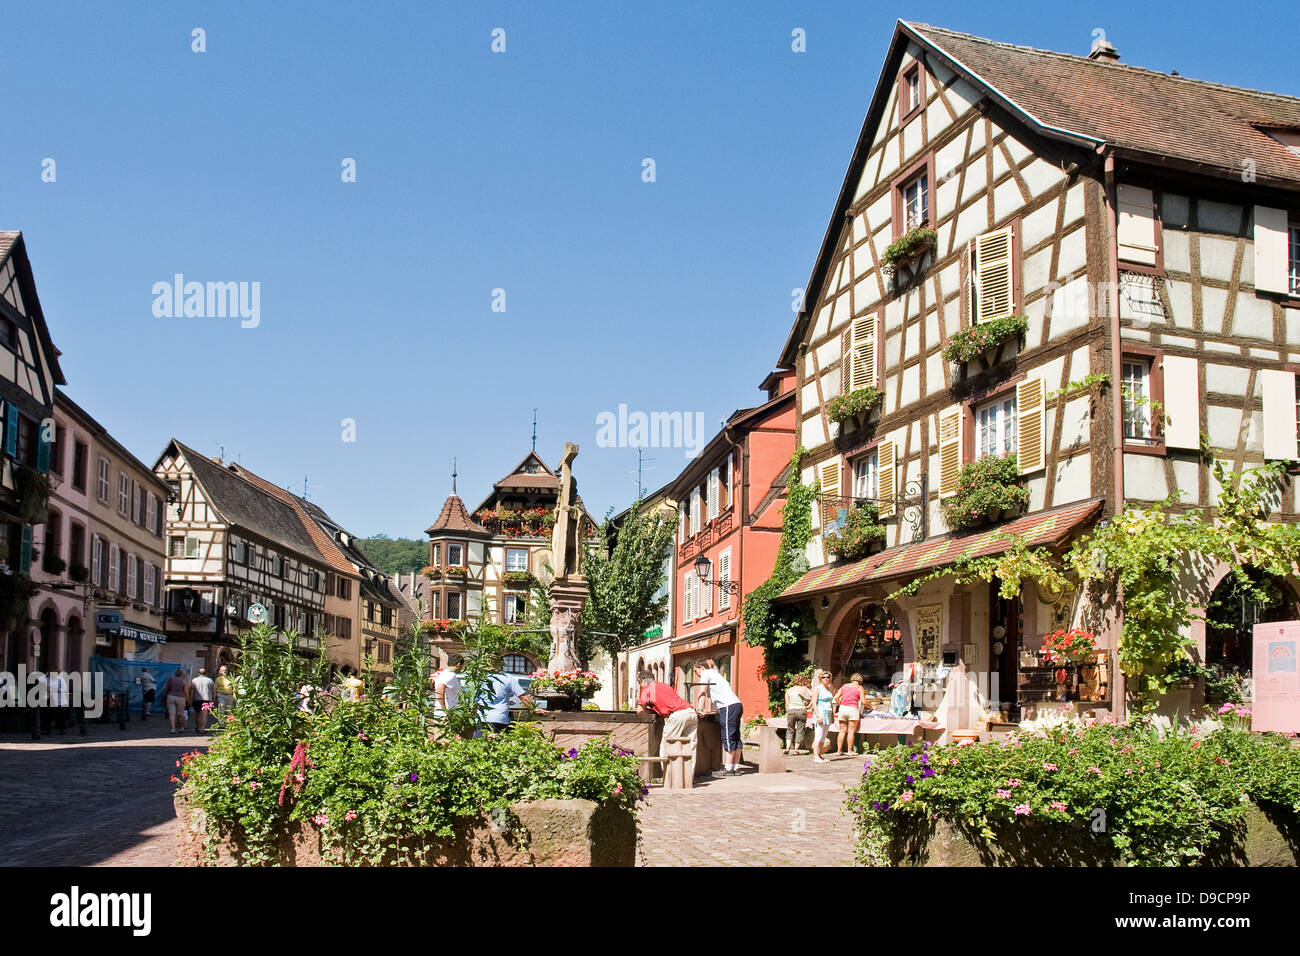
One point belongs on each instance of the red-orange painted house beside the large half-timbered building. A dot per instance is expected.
(730, 512)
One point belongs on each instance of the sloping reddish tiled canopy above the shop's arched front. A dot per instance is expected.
(1051, 529)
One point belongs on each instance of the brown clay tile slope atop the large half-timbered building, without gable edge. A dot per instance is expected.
(1133, 109)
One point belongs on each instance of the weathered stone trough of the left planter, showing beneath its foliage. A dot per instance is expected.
(557, 833)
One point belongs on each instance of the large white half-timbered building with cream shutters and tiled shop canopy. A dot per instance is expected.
(1143, 230)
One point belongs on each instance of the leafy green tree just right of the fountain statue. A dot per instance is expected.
(625, 583)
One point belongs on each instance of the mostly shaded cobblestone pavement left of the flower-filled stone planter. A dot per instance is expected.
(97, 801)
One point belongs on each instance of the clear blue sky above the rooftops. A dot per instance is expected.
(475, 171)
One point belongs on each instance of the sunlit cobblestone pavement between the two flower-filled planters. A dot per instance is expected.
(755, 820)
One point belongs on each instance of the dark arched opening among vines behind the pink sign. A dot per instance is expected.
(1233, 612)
